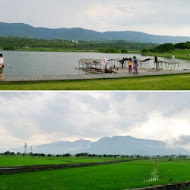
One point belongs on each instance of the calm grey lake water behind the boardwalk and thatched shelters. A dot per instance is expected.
(56, 63)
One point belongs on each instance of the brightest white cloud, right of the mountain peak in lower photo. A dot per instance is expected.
(162, 128)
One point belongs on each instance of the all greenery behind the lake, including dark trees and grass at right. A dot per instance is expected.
(180, 50)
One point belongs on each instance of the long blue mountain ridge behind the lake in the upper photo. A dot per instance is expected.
(24, 30)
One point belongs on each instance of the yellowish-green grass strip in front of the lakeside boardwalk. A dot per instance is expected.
(169, 82)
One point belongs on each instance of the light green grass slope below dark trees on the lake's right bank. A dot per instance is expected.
(180, 54)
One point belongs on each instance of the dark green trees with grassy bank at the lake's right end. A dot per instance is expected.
(180, 50)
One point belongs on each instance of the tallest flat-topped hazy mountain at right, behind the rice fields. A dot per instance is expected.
(131, 146)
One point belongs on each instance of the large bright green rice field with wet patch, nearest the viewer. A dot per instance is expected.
(107, 177)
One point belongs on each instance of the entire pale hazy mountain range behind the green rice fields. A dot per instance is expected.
(122, 145)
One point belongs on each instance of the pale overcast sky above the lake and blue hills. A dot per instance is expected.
(165, 17)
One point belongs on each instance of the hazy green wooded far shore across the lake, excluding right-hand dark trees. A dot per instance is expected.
(28, 44)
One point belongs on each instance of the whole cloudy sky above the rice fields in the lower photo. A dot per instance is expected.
(46, 117)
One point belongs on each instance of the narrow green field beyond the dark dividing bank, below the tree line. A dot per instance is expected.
(28, 161)
